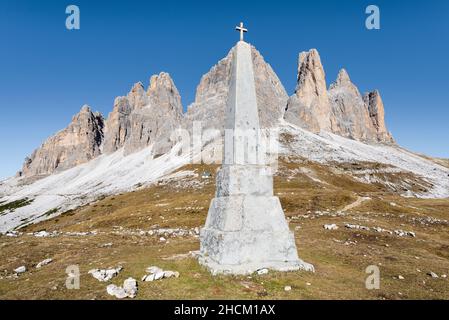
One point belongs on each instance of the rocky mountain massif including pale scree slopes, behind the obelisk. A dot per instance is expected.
(331, 126)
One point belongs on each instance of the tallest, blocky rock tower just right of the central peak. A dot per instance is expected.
(309, 107)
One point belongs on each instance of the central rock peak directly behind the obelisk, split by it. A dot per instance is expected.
(212, 93)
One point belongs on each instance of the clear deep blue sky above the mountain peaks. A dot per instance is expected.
(47, 72)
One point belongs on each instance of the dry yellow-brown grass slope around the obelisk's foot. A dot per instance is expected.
(309, 193)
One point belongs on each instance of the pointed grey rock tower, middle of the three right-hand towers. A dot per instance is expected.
(349, 116)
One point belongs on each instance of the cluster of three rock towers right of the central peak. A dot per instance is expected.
(341, 109)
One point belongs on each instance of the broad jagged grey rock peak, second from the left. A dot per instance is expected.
(144, 118)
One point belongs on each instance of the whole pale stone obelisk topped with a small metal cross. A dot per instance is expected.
(246, 229)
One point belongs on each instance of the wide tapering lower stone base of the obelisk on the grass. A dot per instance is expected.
(245, 243)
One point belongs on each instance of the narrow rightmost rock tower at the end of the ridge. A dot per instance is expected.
(377, 114)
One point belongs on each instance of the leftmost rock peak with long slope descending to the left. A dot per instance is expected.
(76, 144)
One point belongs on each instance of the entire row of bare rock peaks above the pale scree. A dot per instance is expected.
(146, 116)
